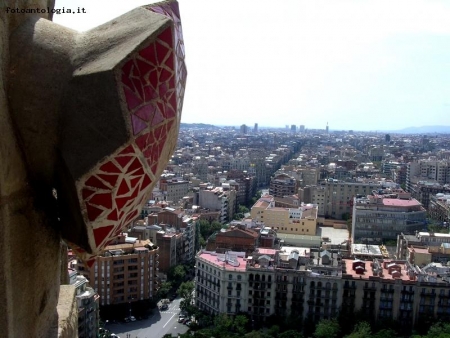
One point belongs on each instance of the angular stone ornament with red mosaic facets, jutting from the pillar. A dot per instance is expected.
(107, 117)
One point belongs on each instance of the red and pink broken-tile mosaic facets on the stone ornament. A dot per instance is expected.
(152, 84)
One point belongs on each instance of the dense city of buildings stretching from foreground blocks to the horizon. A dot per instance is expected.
(286, 224)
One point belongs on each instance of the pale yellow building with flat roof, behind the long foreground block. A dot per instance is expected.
(300, 221)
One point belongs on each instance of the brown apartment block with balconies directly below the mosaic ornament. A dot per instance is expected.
(124, 272)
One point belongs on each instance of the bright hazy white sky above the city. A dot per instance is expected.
(362, 65)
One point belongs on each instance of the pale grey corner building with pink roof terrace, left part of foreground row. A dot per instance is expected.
(269, 282)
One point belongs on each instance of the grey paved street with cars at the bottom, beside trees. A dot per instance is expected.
(159, 324)
